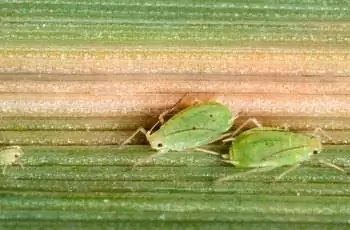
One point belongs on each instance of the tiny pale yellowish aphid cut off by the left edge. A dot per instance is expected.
(10, 155)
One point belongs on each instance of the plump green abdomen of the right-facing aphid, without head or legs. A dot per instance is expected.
(262, 148)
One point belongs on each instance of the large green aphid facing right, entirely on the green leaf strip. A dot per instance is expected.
(265, 148)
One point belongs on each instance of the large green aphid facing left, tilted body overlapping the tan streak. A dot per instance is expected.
(195, 126)
